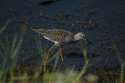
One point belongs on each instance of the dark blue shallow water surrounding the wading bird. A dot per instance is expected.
(109, 15)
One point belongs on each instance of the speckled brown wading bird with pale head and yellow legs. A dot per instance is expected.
(59, 35)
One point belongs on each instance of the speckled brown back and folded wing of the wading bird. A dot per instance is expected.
(56, 34)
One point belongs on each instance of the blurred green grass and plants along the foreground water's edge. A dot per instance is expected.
(42, 72)
